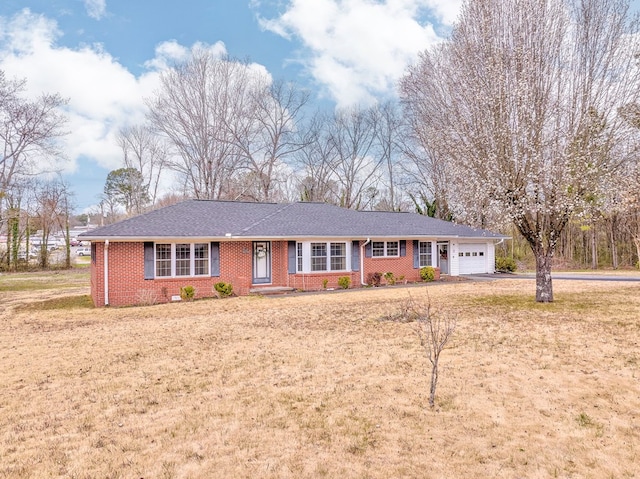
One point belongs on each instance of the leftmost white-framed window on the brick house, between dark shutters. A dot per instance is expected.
(182, 259)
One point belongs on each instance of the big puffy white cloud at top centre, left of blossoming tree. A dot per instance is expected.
(358, 49)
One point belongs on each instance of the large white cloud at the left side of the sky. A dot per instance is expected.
(103, 95)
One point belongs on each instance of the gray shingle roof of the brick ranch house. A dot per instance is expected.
(219, 219)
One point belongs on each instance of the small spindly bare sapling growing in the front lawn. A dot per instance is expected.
(434, 330)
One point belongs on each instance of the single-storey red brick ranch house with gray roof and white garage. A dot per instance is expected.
(260, 247)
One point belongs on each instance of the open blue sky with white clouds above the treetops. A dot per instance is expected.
(106, 55)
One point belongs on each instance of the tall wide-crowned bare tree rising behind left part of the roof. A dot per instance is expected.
(197, 102)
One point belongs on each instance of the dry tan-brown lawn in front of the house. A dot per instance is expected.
(319, 386)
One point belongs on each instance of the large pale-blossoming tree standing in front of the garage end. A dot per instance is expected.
(523, 102)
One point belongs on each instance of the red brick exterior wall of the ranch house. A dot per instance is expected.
(127, 286)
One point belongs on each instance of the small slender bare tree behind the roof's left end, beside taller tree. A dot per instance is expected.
(147, 153)
